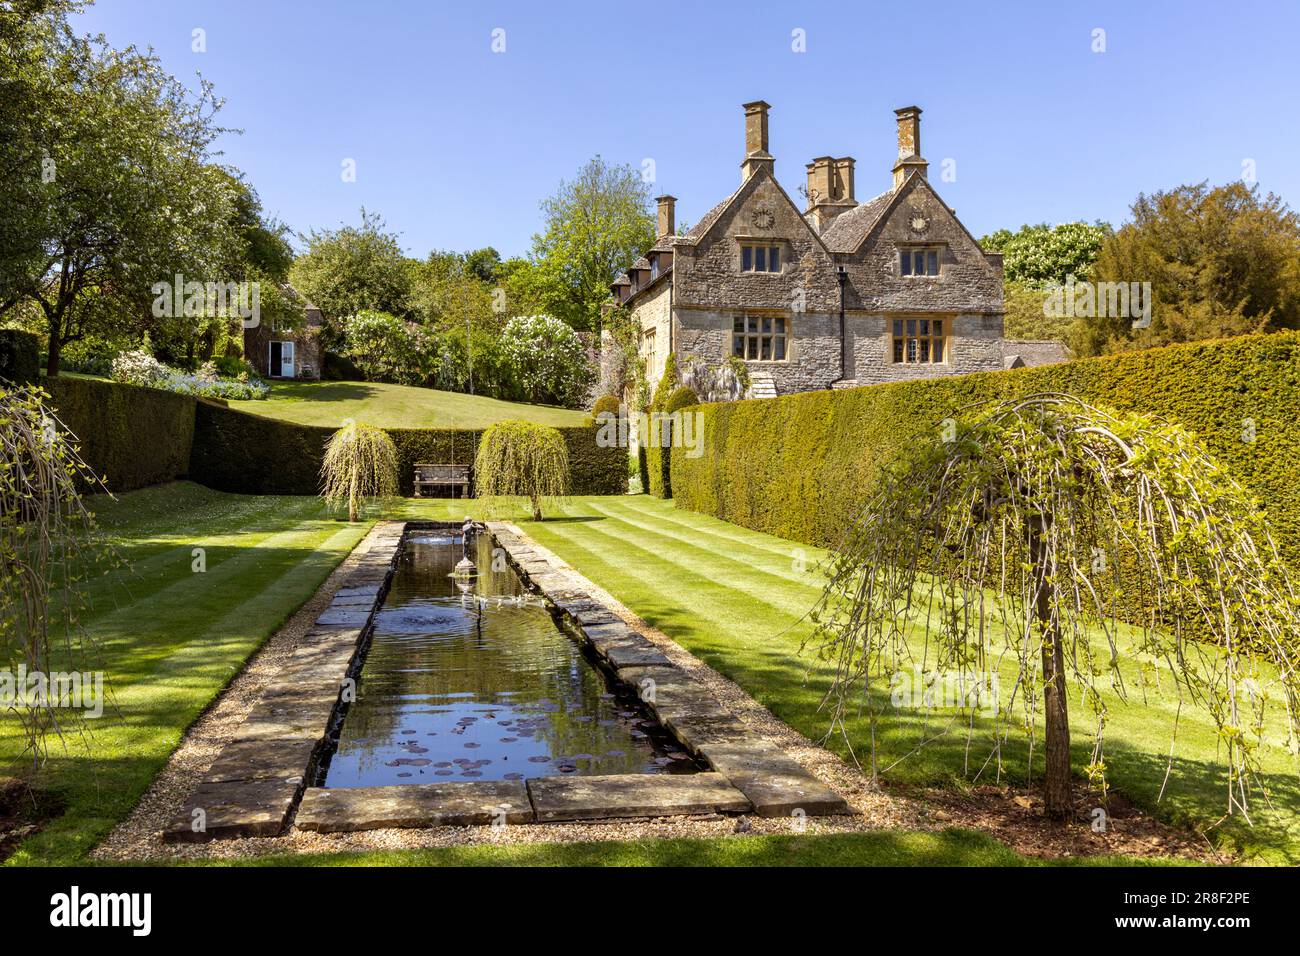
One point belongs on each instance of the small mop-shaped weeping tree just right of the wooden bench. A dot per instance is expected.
(522, 460)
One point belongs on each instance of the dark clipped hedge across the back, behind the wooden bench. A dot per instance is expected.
(237, 452)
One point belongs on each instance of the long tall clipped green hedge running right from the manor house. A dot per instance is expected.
(800, 466)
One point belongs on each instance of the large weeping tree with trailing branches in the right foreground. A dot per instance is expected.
(1024, 538)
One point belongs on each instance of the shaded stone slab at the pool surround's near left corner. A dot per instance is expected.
(235, 810)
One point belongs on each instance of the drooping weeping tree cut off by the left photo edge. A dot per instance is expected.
(49, 548)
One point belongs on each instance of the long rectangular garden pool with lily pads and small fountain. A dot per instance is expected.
(473, 680)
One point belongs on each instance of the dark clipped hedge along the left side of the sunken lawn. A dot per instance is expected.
(131, 436)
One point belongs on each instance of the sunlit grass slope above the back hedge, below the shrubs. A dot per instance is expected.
(396, 406)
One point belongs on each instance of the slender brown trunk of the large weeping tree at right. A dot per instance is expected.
(1056, 781)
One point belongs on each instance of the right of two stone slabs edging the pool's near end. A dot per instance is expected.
(621, 797)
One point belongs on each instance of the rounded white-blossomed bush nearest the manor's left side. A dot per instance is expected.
(549, 361)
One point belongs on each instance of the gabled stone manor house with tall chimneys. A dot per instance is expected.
(844, 293)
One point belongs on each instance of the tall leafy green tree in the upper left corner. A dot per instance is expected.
(109, 183)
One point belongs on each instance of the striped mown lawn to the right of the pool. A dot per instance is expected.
(739, 599)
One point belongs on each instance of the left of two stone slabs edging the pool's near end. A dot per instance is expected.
(475, 803)
